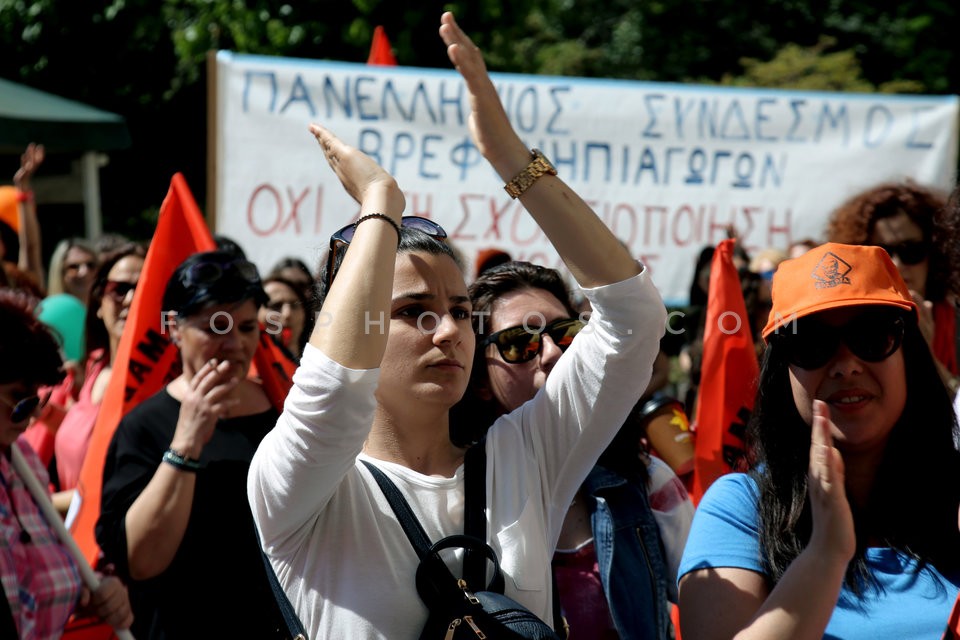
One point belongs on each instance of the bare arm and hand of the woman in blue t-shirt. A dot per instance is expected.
(735, 603)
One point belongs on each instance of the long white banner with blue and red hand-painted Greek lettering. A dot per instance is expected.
(667, 166)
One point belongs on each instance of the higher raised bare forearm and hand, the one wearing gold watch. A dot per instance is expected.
(591, 252)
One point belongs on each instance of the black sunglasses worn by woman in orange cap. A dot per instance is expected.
(872, 337)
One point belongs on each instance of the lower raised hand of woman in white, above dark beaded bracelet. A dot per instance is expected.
(357, 171)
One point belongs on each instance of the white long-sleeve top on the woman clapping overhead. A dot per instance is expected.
(337, 549)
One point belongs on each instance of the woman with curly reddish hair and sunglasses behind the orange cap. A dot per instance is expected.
(916, 227)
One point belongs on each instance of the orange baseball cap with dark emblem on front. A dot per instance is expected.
(832, 276)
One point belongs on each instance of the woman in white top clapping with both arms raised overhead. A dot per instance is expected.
(380, 393)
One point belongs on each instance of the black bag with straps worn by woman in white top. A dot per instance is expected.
(464, 607)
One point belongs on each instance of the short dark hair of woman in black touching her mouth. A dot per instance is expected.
(236, 280)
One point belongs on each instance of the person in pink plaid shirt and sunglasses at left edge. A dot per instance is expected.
(40, 584)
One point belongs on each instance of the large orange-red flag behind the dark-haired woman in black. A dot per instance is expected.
(146, 358)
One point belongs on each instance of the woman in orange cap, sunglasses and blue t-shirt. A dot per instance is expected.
(846, 524)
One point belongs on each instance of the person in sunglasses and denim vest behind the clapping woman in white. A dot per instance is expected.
(623, 534)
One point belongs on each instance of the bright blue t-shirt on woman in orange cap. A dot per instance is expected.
(725, 533)
